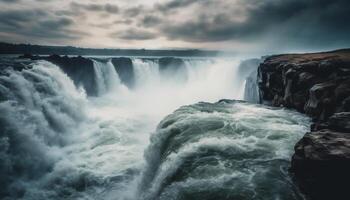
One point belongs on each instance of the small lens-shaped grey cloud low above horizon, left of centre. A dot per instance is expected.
(134, 34)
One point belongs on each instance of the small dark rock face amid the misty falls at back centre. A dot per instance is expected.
(174, 68)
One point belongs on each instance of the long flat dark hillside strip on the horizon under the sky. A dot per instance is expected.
(6, 48)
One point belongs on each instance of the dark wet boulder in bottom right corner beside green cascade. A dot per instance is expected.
(321, 163)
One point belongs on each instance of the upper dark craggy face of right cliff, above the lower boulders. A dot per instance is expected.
(316, 84)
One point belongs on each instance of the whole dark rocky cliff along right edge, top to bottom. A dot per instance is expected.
(318, 85)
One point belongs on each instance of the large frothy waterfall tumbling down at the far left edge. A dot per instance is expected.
(40, 109)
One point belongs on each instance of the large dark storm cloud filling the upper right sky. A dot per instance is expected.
(294, 20)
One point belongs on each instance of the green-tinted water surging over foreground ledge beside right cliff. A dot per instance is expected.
(226, 150)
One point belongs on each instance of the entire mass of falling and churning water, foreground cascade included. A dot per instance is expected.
(58, 142)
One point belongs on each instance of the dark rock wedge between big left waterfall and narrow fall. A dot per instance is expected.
(79, 69)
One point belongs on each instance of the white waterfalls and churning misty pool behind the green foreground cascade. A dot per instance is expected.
(99, 141)
